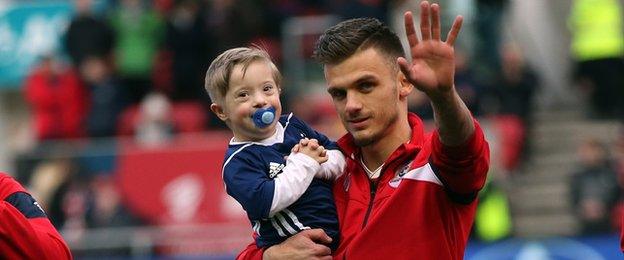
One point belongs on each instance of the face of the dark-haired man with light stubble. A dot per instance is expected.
(365, 92)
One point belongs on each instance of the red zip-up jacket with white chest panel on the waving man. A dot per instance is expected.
(422, 206)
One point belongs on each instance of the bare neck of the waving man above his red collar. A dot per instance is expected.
(375, 154)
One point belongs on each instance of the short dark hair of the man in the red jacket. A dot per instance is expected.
(348, 37)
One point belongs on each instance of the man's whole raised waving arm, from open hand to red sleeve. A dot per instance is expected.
(460, 153)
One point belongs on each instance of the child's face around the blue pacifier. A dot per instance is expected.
(257, 89)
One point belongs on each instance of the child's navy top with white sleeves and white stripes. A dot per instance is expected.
(251, 171)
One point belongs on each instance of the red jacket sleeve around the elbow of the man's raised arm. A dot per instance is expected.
(462, 169)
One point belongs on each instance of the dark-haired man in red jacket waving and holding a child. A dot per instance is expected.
(404, 194)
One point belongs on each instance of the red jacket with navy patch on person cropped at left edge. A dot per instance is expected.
(25, 231)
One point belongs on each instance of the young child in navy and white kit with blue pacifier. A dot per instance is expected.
(280, 195)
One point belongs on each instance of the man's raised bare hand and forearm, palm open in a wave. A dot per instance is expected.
(432, 70)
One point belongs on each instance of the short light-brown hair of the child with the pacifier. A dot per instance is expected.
(218, 75)
